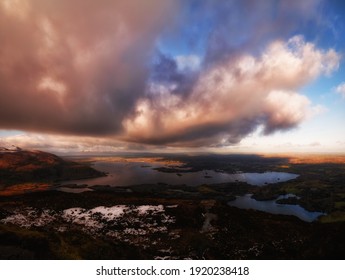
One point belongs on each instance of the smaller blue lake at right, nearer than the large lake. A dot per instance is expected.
(271, 206)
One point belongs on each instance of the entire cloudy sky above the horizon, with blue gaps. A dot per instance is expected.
(249, 76)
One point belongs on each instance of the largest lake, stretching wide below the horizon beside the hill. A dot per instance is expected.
(135, 173)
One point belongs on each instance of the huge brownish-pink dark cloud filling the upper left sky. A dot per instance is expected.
(75, 67)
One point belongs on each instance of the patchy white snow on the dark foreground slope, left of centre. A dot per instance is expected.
(128, 223)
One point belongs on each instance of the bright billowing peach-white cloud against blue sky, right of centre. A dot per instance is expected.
(231, 99)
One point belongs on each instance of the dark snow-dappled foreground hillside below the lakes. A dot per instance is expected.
(140, 225)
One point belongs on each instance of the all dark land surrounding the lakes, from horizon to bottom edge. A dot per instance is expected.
(164, 221)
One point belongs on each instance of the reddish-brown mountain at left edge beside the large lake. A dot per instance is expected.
(25, 166)
